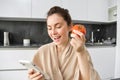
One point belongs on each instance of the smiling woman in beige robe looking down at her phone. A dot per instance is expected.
(64, 58)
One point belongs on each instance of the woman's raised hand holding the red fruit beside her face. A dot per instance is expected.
(78, 40)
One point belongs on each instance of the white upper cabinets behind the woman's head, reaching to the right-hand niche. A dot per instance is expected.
(88, 10)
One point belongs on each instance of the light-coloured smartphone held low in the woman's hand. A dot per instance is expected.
(30, 65)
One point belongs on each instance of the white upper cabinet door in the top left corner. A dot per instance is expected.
(15, 8)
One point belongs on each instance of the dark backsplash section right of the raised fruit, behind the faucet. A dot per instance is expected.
(101, 32)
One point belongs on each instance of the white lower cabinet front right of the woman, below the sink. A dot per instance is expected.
(103, 59)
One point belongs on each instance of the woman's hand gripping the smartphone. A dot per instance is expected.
(32, 75)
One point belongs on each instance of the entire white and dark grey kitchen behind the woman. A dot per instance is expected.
(26, 19)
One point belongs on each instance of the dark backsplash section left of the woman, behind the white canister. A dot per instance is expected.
(19, 30)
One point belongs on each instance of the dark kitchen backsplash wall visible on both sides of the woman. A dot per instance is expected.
(37, 33)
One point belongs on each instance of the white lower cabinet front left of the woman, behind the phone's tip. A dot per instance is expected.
(9, 58)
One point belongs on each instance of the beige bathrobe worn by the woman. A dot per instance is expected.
(64, 67)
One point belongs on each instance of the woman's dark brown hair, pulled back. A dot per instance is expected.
(62, 12)
